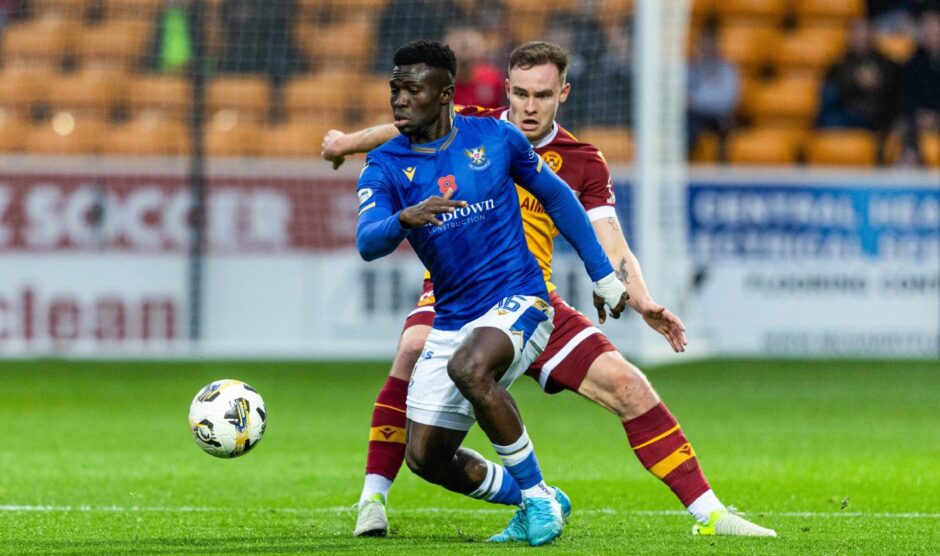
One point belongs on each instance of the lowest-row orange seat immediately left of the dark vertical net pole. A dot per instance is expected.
(146, 136)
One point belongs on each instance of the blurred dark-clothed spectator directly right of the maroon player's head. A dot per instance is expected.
(579, 32)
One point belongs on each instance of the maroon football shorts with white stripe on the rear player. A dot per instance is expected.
(573, 346)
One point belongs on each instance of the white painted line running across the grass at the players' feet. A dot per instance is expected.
(14, 508)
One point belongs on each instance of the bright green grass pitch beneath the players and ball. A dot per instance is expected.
(96, 457)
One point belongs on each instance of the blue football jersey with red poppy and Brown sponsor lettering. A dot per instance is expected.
(479, 255)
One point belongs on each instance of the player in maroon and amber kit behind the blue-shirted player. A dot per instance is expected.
(579, 357)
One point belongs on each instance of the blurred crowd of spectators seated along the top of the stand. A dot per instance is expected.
(865, 88)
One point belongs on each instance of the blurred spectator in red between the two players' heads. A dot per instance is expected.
(478, 82)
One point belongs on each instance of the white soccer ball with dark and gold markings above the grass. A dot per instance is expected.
(227, 418)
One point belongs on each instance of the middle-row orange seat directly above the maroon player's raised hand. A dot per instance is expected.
(322, 95)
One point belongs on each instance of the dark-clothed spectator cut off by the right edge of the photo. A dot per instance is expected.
(920, 87)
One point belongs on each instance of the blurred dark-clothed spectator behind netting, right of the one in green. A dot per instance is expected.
(258, 38)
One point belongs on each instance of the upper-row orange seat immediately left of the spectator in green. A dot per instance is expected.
(113, 43)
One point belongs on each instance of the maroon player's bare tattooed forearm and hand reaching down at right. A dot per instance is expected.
(628, 271)
